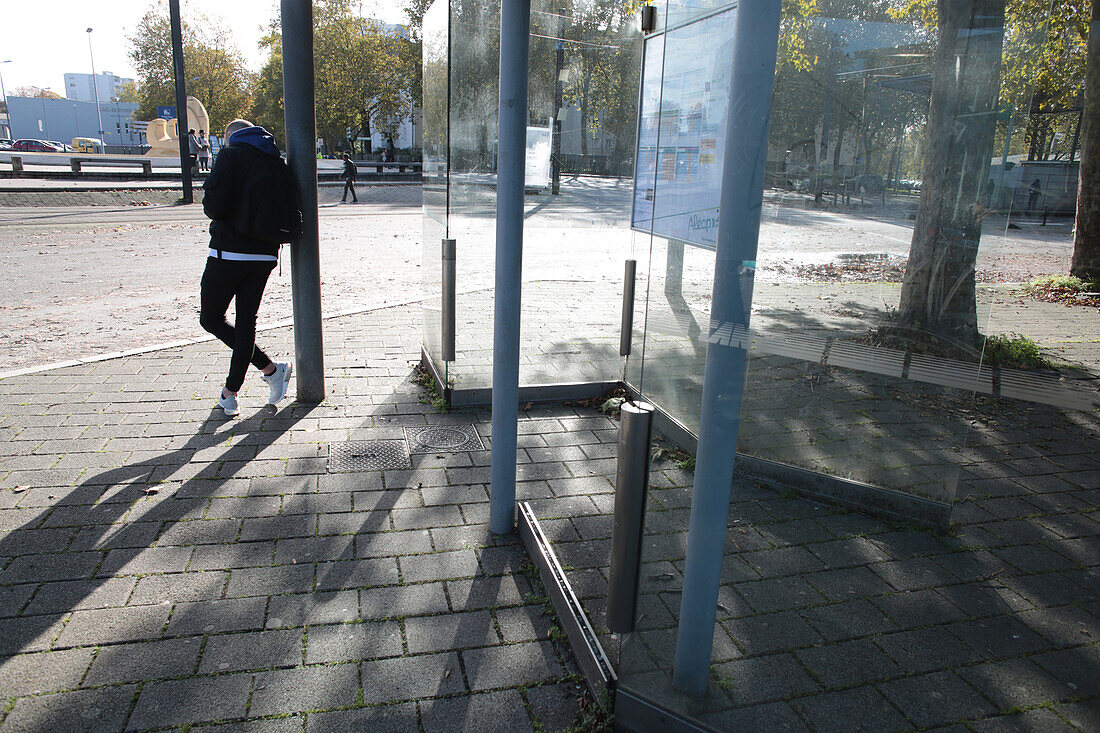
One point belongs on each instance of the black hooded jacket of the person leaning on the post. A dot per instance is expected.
(236, 163)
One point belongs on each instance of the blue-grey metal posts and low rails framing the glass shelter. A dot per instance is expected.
(752, 78)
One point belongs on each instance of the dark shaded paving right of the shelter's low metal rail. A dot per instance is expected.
(821, 608)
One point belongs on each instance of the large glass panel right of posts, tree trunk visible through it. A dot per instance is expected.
(866, 315)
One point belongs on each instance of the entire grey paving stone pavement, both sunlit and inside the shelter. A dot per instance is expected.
(164, 567)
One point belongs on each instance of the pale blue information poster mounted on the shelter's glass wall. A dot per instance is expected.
(685, 101)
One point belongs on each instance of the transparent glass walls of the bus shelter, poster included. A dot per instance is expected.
(889, 360)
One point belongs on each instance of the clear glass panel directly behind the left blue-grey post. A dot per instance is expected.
(582, 116)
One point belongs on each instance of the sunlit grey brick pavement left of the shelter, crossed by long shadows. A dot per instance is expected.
(163, 566)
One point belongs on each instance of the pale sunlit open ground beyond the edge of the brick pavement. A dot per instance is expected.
(83, 281)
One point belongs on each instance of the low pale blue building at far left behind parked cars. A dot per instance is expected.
(64, 119)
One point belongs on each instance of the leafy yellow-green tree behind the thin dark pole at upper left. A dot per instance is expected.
(216, 71)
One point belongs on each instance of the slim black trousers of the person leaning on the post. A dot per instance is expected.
(223, 281)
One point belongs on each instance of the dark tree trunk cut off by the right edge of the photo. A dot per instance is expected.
(1086, 262)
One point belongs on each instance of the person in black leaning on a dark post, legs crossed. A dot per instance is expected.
(239, 265)
